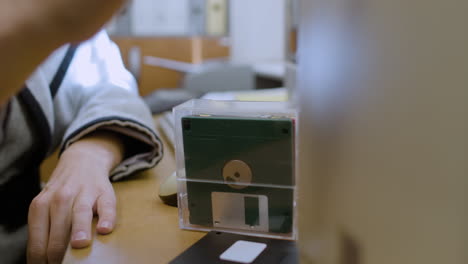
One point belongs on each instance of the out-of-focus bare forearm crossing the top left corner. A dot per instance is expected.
(30, 30)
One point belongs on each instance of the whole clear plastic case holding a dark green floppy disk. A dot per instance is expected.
(236, 167)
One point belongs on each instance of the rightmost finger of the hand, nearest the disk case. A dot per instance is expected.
(106, 209)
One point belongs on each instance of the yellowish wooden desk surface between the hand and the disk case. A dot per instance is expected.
(147, 231)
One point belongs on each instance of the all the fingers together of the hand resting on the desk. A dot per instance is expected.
(58, 213)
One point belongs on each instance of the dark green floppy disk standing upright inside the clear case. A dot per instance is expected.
(240, 172)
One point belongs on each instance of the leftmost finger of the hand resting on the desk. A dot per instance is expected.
(38, 228)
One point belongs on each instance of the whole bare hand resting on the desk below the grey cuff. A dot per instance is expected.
(78, 187)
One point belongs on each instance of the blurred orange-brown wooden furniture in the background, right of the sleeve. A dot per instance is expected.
(192, 49)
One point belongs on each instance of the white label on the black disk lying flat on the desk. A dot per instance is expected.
(243, 252)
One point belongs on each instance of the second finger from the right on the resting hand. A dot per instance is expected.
(82, 220)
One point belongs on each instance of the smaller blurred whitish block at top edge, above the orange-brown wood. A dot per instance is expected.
(160, 17)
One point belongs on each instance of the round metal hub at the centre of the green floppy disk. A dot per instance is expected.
(237, 171)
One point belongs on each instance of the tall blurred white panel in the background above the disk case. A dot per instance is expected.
(258, 30)
